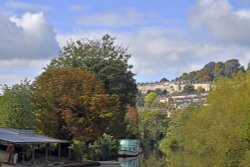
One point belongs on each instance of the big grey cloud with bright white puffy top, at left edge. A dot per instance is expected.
(27, 44)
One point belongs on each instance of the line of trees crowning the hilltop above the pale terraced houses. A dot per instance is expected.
(213, 71)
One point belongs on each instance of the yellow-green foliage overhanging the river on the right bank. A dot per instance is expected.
(219, 130)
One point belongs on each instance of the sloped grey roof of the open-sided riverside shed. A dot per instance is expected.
(20, 136)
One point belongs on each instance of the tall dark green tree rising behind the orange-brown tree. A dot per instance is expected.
(110, 64)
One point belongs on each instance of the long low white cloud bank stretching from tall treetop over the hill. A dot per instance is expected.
(157, 53)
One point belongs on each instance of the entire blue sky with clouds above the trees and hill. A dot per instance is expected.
(164, 37)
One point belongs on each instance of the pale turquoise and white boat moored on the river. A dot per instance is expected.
(129, 147)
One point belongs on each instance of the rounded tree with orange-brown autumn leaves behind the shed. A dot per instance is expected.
(71, 104)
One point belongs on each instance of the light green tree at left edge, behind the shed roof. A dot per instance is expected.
(16, 107)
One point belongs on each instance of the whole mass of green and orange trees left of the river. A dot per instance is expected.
(86, 91)
